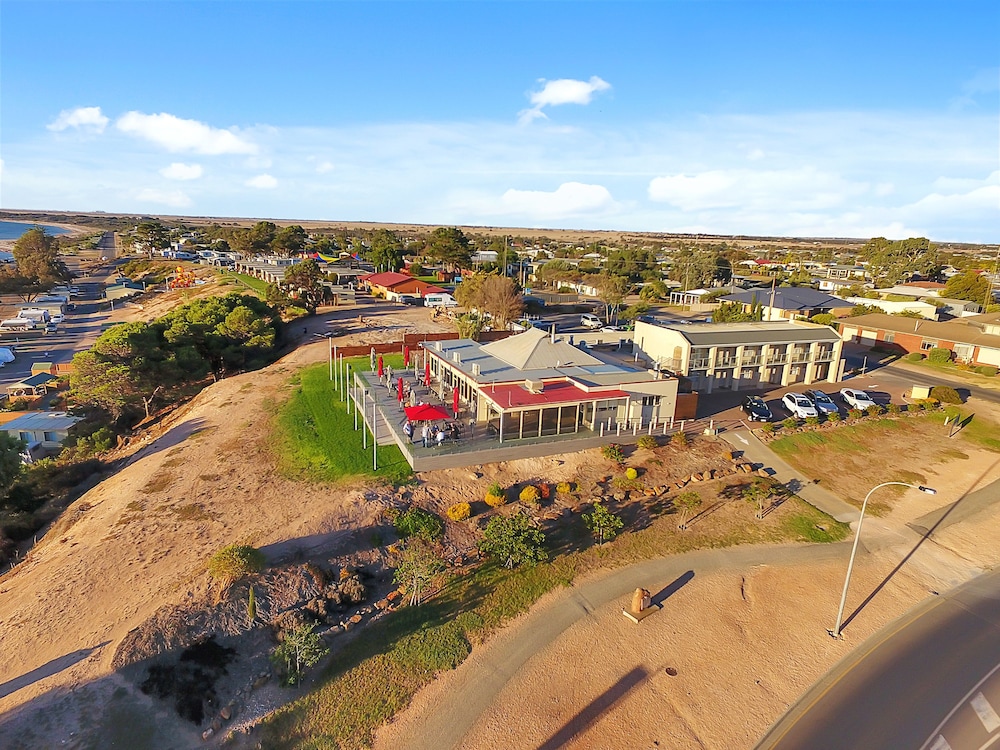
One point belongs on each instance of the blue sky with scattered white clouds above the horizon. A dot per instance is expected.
(847, 119)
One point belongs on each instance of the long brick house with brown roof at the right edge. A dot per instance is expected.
(974, 339)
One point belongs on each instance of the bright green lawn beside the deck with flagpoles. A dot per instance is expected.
(315, 439)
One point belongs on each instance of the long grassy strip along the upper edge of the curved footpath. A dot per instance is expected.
(376, 677)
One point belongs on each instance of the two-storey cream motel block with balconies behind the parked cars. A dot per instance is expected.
(740, 356)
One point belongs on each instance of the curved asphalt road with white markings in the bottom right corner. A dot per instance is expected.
(931, 681)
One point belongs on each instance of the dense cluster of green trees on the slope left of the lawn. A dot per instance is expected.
(135, 365)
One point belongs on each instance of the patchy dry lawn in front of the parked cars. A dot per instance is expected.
(850, 459)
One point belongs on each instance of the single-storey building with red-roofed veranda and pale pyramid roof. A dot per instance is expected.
(535, 385)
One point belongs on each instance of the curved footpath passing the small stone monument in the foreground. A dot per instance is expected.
(475, 686)
